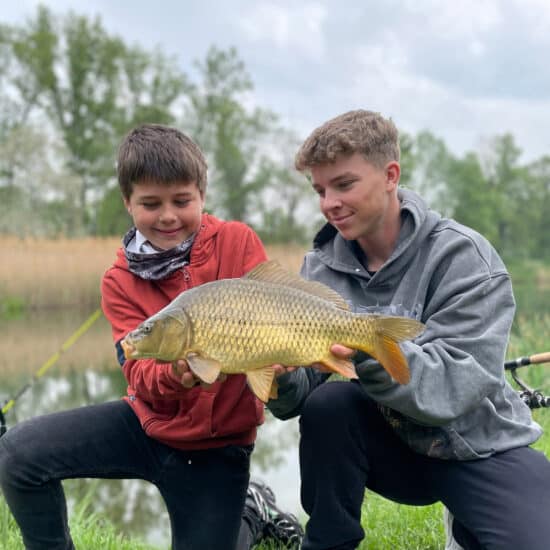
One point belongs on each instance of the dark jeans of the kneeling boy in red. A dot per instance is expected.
(204, 491)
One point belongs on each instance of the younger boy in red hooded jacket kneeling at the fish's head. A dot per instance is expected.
(193, 441)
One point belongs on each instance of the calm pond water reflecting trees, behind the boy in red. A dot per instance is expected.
(87, 374)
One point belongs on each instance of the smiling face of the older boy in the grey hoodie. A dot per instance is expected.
(358, 198)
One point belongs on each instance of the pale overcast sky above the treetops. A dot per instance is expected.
(466, 70)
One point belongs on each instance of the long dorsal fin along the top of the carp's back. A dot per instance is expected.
(272, 272)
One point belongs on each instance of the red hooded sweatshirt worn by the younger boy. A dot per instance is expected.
(197, 418)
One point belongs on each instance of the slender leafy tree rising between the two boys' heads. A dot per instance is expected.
(229, 133)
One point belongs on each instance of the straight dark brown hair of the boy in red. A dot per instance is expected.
(153, 152)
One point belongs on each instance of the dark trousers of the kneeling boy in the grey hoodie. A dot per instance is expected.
(502, 502)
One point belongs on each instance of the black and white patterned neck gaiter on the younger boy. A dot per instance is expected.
(153, 266)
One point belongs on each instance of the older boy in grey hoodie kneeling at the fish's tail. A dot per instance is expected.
(457, 433)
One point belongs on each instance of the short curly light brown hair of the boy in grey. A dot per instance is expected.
(365, 132)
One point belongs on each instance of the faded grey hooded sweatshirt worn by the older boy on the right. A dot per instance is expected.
(458, 404)
